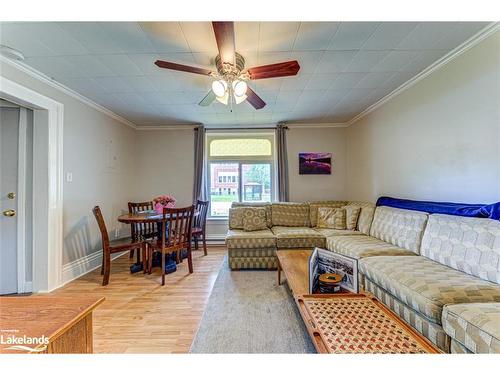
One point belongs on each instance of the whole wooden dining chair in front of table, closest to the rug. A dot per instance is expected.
(177, 237)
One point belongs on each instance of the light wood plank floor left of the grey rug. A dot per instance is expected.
(141, 316)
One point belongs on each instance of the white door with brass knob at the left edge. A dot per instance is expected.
(9, 140)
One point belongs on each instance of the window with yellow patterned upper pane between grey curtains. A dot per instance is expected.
(240, 169)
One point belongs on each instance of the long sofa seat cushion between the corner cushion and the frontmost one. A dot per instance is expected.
(425, 285)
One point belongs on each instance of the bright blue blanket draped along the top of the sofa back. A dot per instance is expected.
(491, 211)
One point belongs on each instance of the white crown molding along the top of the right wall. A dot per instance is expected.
(453, 54)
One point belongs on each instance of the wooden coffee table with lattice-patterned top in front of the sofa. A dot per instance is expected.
(347, 322)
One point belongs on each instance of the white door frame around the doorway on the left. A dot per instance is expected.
(47, 182)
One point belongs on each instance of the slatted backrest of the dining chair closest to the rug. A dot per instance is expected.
(178, 222)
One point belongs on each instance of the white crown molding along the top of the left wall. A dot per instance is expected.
(33, 73)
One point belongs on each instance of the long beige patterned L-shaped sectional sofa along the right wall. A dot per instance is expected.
(440, 273)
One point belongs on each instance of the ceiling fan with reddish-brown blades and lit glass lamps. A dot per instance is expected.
(230, 80)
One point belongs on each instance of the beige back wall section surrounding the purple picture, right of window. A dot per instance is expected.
(317, 139)
